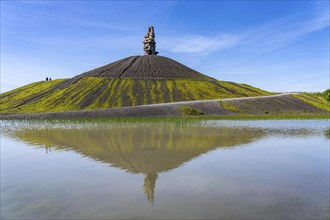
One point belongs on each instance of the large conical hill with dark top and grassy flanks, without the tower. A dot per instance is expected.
(135, 80)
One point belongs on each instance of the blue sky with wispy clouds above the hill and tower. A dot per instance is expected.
(274, 45)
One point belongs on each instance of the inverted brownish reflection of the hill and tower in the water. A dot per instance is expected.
(148, 149)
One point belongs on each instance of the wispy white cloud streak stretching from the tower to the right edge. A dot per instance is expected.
(262, 38)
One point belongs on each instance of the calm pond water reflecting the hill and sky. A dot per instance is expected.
(196, 170)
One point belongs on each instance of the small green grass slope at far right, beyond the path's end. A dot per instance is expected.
(315, 99)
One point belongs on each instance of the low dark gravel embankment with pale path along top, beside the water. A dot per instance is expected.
(280, 104)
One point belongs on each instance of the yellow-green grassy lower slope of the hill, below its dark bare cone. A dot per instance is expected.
(97, 92)
